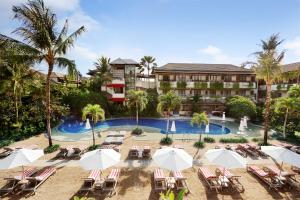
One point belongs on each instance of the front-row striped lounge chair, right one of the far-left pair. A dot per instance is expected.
(38, 179)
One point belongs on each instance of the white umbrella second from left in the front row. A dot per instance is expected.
(99, 159)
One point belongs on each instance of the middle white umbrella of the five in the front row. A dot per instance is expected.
(172, 159)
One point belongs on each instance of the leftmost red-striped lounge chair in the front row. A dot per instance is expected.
(11, 183)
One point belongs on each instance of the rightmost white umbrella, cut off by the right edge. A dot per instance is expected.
(282, 155)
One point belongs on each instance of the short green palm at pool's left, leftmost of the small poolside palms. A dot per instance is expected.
(96, 113)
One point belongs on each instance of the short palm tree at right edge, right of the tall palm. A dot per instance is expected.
(286, 105)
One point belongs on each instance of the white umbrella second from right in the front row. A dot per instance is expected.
(225, 158)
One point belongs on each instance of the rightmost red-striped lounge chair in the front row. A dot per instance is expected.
(284, 176)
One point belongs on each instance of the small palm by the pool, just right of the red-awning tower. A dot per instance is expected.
(137, 99)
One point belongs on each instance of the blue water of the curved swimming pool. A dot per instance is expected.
(73, 126)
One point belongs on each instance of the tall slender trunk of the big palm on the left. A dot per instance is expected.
(48, 106)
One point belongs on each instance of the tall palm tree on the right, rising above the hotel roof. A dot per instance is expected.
(268, 68)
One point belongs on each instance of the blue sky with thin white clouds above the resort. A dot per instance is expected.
(199, 31)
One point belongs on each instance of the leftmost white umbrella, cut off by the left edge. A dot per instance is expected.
(20, 157)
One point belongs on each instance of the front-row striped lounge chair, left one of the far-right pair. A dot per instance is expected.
(268, 177)
